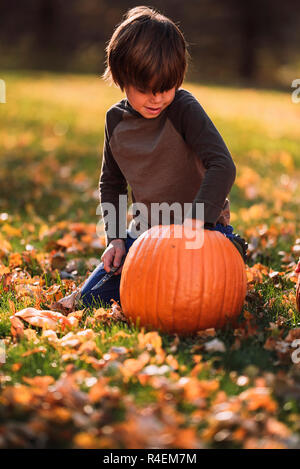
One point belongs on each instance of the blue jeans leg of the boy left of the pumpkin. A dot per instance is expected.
(110, 290)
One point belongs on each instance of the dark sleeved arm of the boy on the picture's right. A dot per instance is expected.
(201, 134)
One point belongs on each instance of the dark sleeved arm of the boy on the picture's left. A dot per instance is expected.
(112, 183)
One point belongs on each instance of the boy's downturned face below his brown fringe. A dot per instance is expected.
(148, 104)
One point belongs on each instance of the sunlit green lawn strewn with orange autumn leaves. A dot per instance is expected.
(51, 137)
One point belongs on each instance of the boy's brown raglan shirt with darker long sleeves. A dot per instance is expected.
(178, 156)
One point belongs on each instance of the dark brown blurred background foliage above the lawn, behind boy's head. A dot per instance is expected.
(252, 42)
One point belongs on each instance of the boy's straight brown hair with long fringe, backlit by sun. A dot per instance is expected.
(148, 51)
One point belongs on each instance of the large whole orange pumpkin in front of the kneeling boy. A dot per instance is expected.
(168, 287)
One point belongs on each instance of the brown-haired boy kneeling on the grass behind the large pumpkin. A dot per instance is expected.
(158, 139)
